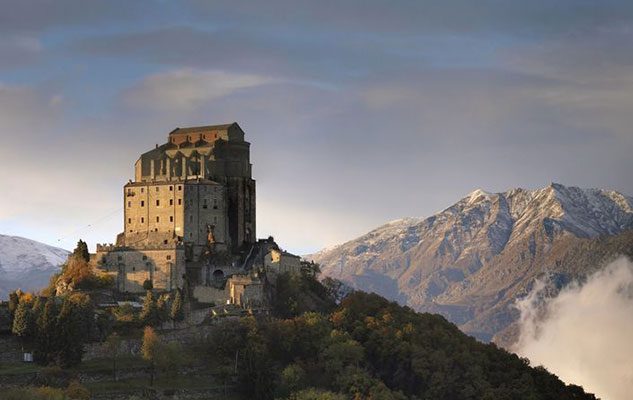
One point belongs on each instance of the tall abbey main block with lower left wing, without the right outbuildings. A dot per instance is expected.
(189, 195)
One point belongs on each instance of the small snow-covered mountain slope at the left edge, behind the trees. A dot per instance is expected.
(27, 264)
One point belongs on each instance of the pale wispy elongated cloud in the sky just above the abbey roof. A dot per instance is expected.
(188, 88)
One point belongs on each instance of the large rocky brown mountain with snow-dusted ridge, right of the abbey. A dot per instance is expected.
(471, 261)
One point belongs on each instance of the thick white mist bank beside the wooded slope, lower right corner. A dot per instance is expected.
(584, 334)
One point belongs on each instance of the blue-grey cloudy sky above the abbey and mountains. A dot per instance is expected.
(358, 112)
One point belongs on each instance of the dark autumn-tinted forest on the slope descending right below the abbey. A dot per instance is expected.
(370, 348)
